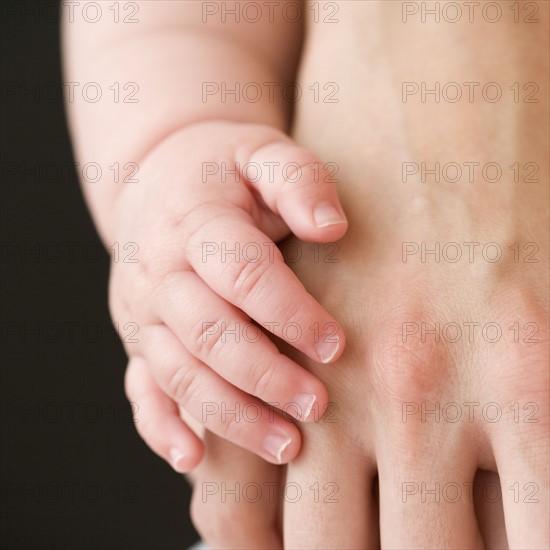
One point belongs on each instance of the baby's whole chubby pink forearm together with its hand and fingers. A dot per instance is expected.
(185, 303)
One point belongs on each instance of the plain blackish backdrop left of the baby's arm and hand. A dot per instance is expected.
(74, 473)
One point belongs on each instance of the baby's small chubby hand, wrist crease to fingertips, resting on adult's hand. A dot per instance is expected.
(211, 201)
